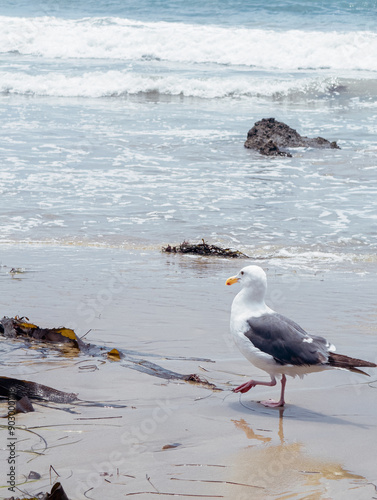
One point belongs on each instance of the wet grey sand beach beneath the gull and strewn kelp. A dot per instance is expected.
(173, 437)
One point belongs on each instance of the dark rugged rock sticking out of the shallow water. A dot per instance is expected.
(268, 136)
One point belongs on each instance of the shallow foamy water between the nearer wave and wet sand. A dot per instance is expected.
(165, 181)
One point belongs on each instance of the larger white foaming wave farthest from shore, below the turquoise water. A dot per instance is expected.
(116, 38)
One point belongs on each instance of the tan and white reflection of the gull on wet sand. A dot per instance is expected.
(280, 469)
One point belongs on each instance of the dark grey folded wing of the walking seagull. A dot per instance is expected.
(286, 341)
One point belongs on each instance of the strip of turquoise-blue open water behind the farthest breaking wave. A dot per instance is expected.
(277, 14)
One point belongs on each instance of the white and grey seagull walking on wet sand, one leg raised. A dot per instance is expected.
(275, 343)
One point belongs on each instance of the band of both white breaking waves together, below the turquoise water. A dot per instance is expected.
(112, 57)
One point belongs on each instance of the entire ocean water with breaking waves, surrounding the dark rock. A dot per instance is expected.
(123, 126)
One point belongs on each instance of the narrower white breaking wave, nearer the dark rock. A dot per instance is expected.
(115, 83)
